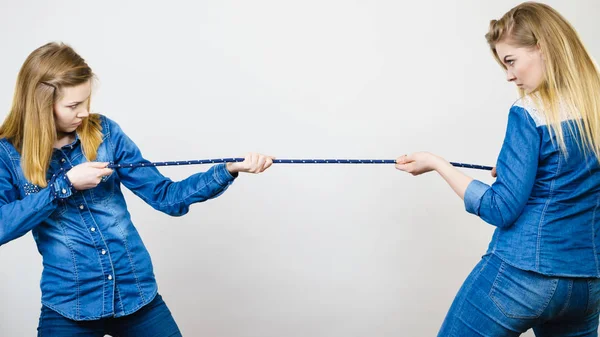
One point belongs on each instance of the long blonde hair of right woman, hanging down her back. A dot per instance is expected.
(571, 84)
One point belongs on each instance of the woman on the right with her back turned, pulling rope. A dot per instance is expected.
(542, 267)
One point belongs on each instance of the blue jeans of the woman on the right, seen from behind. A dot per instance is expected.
(500, 300)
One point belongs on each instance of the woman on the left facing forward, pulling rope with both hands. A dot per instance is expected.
(97, 275)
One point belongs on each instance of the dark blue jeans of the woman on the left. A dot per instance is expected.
(152, 320)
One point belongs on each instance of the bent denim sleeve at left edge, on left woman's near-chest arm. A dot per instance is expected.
(17, 217)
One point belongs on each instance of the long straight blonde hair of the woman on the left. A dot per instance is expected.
(30, 124)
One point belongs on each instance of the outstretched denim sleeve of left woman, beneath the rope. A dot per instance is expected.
(160, 192)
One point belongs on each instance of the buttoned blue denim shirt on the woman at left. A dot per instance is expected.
(95, 264)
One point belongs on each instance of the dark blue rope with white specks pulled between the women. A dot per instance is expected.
(282, 161)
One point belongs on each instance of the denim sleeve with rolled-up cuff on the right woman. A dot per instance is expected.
(501, 203)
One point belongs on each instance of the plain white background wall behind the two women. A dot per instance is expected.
(315, 250)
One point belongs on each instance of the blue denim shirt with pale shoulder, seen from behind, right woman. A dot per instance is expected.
(544, 203)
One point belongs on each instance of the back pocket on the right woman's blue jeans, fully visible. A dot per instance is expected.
(522, 294)
